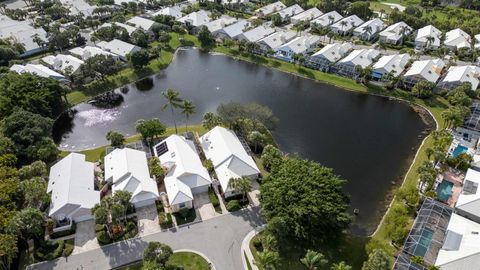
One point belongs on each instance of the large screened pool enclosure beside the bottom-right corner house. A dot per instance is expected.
(429, 229)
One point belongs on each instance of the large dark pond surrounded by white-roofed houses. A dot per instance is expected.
(367, 140)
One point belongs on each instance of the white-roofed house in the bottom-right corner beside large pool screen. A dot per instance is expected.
(461, 246)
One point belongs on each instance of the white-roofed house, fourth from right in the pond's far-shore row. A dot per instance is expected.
(362, 57)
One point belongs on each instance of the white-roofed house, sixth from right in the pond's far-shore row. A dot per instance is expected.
(297, 46)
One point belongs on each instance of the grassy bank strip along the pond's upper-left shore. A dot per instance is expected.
(129, 75)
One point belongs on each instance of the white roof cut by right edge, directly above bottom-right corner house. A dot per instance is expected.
(470, 201)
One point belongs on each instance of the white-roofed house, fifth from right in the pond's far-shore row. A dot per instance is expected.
(329, 55)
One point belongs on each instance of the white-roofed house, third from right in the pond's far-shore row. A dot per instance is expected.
(393, 64)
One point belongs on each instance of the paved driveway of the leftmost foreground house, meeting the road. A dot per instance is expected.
(85, 238)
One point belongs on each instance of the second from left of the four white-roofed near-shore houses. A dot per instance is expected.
(127, 169)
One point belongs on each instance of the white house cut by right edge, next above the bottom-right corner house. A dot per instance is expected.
(468, 203)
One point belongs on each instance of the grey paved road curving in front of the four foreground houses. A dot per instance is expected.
(218, 238)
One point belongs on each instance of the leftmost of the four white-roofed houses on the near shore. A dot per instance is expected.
(72, 190)
